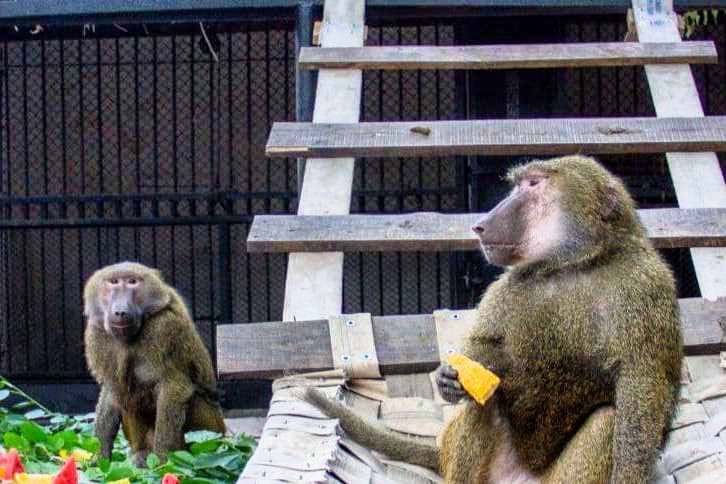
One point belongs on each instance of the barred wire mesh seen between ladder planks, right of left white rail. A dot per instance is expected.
(406, 282)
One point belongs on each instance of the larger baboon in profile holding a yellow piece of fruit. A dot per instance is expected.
(583, 330)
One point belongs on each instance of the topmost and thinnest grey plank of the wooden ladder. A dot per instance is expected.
(526, 56)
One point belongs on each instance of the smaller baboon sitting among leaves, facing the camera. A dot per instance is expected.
(156, 376)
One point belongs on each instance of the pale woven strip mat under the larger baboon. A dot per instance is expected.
(299, 444)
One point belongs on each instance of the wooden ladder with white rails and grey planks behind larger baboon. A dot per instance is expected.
(323, 229)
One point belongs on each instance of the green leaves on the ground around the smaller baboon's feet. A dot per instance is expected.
(44, 438)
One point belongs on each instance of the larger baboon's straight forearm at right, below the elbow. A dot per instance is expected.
(642, 409)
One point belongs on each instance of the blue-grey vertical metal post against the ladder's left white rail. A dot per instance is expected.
(304, 80)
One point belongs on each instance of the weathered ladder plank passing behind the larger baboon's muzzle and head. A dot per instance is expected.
(430, 231)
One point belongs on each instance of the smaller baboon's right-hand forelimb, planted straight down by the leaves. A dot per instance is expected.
(173, 395)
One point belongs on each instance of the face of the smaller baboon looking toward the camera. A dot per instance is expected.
(121, 297)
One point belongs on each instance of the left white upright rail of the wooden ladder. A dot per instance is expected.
(314, 284)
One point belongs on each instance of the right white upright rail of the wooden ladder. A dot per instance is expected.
(697, 177)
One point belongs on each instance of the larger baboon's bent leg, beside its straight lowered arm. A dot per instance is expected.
(588, 456)
